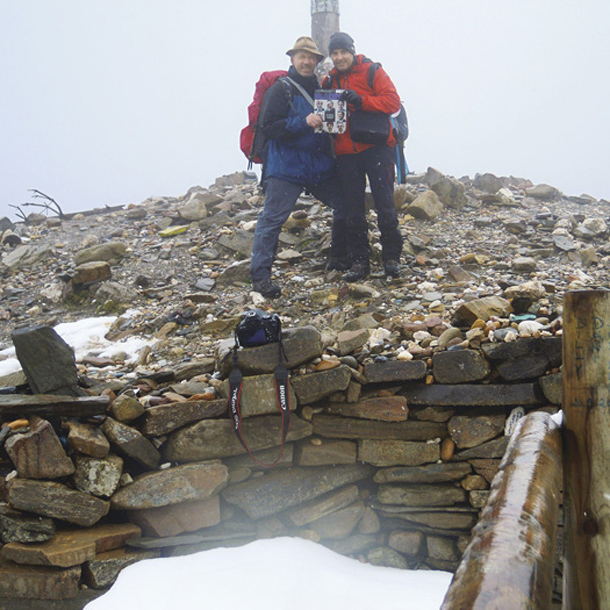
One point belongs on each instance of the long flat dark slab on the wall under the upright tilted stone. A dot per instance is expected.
(18, 405)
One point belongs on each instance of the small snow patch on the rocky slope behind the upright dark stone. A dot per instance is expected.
(86, 338)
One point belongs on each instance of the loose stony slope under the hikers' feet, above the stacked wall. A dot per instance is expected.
(180, 264)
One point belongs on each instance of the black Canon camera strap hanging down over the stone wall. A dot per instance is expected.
(282, 396)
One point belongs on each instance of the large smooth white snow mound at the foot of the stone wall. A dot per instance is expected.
(271, 575)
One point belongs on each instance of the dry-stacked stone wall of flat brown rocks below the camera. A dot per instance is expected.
(386, 460)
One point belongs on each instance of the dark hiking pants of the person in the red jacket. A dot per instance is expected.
(378, 164)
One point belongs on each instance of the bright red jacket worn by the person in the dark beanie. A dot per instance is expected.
(383, 97)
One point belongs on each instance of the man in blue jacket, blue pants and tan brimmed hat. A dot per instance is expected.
(295, 158)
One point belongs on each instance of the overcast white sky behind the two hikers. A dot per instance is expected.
(108, 102)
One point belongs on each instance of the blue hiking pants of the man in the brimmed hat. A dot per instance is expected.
(280, 199)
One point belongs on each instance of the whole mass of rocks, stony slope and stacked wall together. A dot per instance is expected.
(403, 392)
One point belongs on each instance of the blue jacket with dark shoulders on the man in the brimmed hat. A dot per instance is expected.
(294, 152)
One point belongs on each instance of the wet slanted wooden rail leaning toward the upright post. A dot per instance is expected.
(510, 560)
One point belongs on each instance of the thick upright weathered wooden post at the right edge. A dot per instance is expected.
(586, 407)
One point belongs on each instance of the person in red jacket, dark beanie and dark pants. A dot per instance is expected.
(372, 92)
